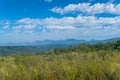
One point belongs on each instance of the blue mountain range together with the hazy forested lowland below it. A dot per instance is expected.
(42, 46)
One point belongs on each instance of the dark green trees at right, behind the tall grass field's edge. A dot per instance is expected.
(115, 45)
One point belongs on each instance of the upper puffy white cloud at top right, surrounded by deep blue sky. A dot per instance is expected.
(88, 8)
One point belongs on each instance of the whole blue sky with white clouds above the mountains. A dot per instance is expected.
(31, 20)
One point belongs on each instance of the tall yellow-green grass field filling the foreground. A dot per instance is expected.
(102, 65)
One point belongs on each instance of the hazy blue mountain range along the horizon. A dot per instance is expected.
(66, 42)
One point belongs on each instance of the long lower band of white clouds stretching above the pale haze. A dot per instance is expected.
(68, 23)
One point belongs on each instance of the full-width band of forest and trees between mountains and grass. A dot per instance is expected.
(7, 50)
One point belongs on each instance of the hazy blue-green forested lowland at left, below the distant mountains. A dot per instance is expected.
(8, 50)
